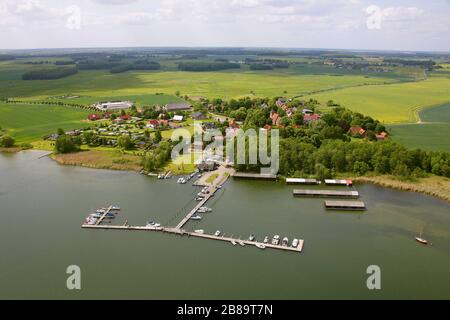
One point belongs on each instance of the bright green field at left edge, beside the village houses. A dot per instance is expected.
(28, 123)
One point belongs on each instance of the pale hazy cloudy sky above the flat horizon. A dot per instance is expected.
(413, 25)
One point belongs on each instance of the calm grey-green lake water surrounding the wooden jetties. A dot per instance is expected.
(43, 204)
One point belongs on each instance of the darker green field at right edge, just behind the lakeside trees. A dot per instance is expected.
(427, 136)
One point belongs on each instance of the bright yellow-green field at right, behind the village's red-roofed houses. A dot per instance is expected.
(394, 103)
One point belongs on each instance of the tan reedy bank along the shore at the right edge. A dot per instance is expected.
(434, 186)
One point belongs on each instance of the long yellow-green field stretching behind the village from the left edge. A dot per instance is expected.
(226, 84)
